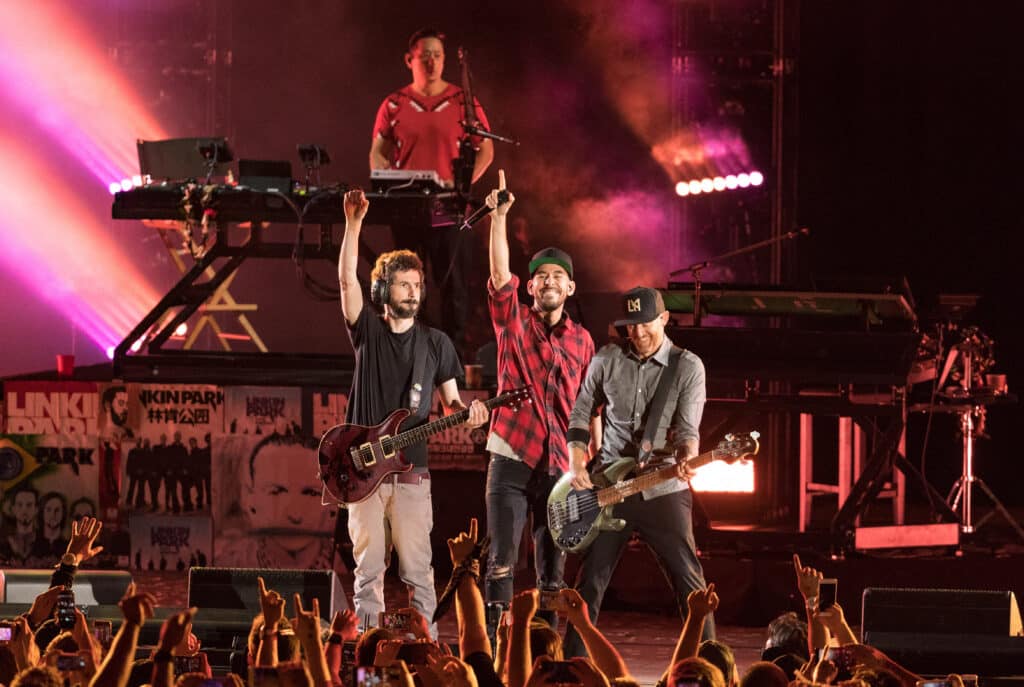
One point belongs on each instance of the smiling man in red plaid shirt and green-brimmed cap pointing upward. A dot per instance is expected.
(542, 350)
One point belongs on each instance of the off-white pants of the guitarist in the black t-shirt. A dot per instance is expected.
(401, 516)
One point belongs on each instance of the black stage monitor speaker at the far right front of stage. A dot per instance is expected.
(935, 632)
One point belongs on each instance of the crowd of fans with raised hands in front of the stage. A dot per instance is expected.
(53, 646)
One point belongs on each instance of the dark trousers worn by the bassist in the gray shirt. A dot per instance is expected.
(665, 525)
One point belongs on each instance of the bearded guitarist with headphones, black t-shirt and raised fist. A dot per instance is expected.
(399, 363)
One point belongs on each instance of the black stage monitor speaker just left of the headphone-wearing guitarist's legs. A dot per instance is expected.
(238, 589)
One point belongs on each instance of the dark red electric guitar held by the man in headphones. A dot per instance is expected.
(356, 459)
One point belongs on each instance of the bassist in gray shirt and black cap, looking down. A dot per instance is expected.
(622, 381)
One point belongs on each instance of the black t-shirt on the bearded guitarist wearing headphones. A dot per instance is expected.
(385, 373)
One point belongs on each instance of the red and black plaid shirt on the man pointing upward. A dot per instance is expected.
(550, 364)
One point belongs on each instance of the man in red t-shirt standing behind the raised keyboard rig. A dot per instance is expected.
(419, 127)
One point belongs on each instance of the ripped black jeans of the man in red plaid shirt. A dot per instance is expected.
(515, 490)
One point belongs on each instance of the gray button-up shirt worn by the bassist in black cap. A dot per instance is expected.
(625, 385)
